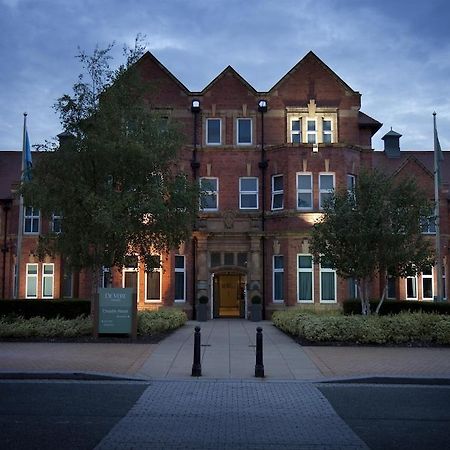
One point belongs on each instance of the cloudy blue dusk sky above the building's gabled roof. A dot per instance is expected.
(396, 53)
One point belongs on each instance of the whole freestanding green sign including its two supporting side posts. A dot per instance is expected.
(116, 312)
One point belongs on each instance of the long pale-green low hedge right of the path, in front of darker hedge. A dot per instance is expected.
(401, 328)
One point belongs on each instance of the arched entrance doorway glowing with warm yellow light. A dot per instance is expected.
(229, 295)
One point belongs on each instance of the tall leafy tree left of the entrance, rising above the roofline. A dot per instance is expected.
(113, 178)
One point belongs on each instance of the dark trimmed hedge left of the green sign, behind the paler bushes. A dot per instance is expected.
(49, 309)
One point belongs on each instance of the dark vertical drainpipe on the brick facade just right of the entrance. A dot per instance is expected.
(263, 164)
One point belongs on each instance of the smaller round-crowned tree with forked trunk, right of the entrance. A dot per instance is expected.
(375, 228)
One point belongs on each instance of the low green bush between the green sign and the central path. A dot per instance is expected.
(160, 321)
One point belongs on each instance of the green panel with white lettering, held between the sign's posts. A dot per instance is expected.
(115, 310)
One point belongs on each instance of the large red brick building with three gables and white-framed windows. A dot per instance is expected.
(267, 160)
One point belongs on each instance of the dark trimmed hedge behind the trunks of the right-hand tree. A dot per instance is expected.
(353, 306)
